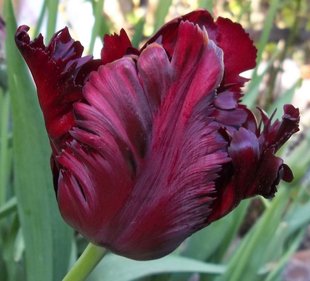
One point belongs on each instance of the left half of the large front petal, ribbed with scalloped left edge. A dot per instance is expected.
(112, 142)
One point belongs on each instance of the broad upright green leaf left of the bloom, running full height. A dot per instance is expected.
(46, 237)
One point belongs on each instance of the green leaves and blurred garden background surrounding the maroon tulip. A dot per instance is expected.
(260, 240)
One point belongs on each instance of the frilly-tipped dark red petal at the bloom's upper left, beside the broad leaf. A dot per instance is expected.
(59, 72)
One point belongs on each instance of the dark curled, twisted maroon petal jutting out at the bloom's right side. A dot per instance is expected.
(255, 170)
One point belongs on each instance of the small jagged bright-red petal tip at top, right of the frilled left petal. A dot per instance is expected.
(116, 46)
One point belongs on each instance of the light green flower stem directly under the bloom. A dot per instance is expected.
(86, 263)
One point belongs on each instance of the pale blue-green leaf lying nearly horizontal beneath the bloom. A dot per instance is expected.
(116, 268)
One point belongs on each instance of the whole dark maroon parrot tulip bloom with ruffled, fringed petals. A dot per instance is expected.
(151, 145)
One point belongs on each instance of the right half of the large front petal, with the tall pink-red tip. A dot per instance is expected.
(186, 153)
